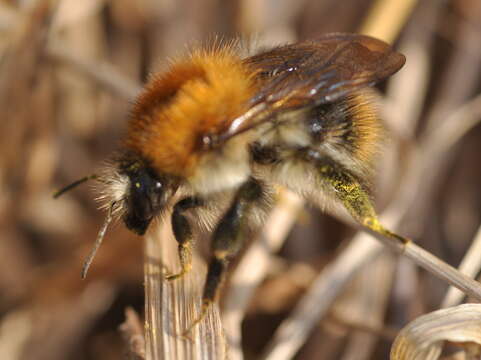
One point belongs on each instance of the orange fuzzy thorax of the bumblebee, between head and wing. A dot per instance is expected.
(197, 96)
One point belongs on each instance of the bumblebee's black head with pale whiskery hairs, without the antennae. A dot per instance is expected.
(140, 193)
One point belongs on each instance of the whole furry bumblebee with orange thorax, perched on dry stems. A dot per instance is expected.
(217, 129)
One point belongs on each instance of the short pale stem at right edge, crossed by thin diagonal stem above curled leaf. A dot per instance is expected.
(470, 265)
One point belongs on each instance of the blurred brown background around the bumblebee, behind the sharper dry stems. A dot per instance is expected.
(68, 73)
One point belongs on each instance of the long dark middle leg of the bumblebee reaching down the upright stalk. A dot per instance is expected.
(227, 240)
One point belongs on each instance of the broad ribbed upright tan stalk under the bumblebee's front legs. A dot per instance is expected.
(172, 306)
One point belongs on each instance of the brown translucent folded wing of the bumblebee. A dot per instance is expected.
(314, 72)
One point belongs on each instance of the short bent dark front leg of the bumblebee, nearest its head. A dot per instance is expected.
(183, 234)
